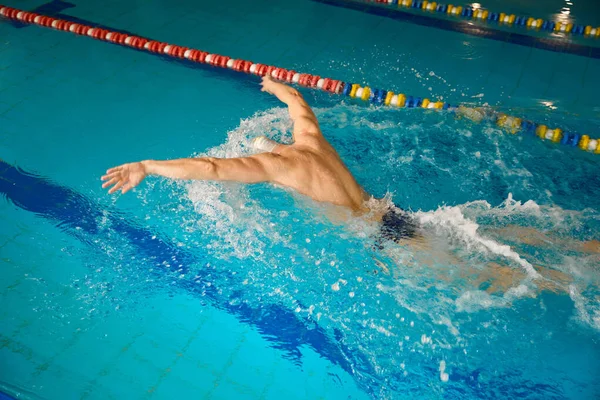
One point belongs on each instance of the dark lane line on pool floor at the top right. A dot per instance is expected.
(555, 45)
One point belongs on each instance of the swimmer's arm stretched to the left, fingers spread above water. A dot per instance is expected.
(253, 169)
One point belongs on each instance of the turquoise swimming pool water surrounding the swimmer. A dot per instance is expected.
(225, 291)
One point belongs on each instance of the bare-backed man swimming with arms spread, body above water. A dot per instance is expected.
(310, 166)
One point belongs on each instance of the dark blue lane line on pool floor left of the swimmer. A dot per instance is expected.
(80, 217)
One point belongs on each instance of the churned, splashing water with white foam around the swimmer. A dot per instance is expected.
(407, 306)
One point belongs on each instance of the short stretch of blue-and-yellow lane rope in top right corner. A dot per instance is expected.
(484, 15)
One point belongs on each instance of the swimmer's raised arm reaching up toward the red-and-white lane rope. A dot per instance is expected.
(305, 121)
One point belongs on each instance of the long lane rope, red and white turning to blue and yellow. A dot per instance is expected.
(376, 96)
